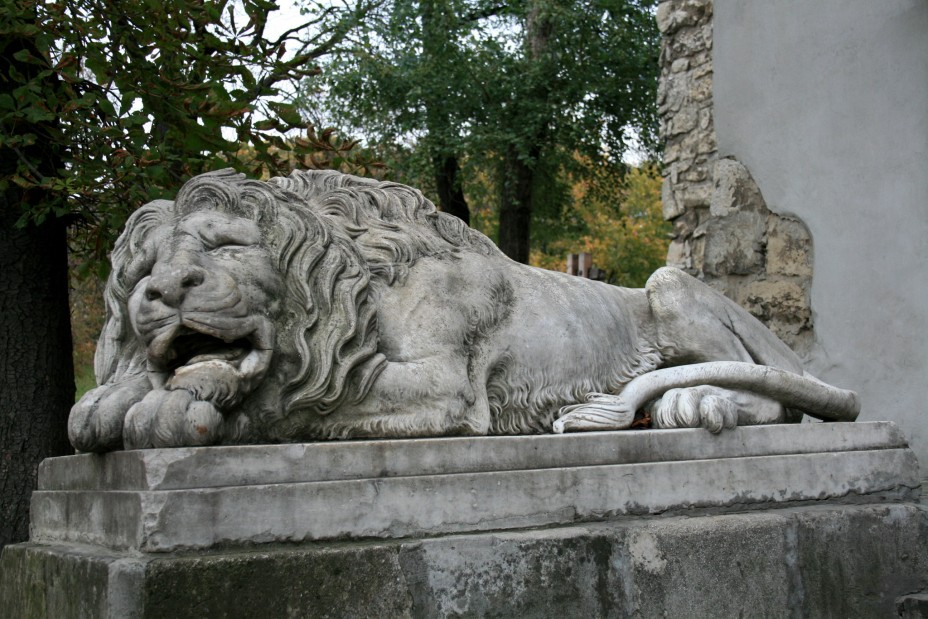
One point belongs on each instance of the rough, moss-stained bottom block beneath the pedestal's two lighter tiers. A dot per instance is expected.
(811, 561)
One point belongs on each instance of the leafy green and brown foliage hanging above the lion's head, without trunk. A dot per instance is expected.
(137, 96)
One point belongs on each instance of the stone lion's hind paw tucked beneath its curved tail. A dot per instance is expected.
(695, 407)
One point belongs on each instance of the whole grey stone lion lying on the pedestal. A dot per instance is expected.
(326, 306)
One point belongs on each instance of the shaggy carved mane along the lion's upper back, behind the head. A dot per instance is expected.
(392, 224)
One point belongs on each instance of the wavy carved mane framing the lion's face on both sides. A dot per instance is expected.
(329, 331)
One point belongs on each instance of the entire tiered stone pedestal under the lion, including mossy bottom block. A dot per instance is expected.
(809, 520)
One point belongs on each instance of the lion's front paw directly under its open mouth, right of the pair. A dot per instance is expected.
(172, 419)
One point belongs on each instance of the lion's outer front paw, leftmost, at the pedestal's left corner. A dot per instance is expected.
(96, 421)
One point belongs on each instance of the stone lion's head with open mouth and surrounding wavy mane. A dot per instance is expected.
(238, 294)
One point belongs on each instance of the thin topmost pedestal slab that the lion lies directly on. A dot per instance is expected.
(173, 469)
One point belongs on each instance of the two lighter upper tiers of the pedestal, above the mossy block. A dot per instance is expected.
(532, 484)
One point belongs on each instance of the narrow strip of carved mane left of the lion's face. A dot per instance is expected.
(118, 352)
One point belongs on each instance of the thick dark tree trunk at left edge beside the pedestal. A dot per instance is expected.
(36, 371)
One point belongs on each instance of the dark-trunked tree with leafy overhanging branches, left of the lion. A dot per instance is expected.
(105, 105)
